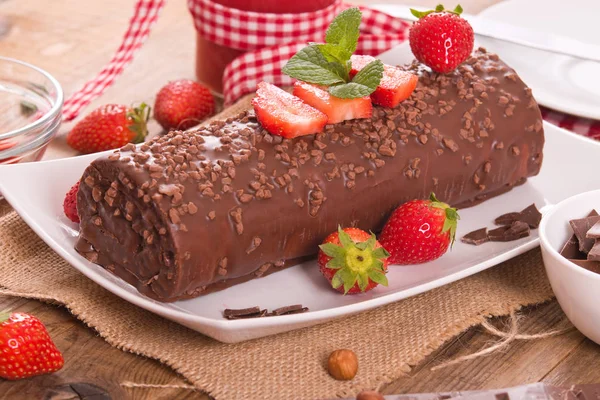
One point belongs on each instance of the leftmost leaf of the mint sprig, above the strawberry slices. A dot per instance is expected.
(310, 65)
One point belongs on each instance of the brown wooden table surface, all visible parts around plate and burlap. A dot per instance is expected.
(73, 39)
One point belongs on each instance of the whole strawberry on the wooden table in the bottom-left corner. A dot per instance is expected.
(26, 348)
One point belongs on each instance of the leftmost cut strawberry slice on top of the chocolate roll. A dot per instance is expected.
(285, 115)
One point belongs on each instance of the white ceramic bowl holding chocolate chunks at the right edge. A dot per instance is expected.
(577, 289)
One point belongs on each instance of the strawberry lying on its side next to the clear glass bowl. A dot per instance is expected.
(109, 127)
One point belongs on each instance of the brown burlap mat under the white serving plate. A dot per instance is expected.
(387, 340)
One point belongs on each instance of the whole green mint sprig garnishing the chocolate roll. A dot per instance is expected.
(329, 63)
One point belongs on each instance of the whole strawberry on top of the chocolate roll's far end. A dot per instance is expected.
(441, 39)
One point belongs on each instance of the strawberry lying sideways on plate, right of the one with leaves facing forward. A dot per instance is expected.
(419, 231)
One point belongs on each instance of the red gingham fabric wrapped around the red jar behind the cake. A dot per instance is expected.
(272, 39)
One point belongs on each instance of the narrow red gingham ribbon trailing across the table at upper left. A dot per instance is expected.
(145, 15)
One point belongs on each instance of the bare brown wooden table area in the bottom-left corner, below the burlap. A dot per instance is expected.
(90, 360)
